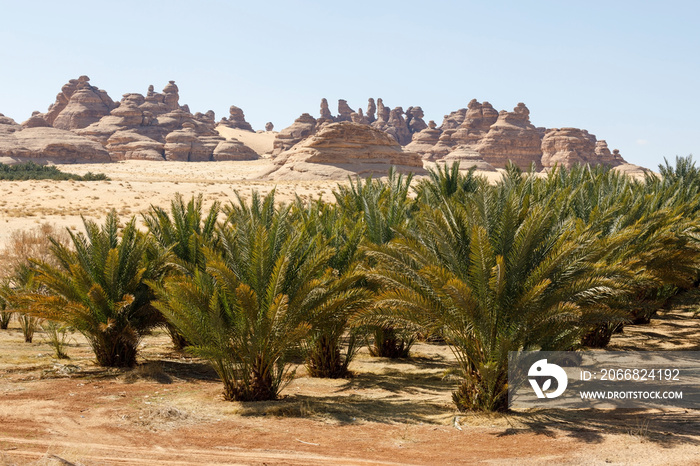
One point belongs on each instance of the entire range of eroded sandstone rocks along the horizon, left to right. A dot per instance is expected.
(155, 126)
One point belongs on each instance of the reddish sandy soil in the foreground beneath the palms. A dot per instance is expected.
(169, 410)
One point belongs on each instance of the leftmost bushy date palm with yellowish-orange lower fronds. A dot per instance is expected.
(99, 289)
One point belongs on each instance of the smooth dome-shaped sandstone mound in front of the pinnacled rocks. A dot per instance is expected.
(342, 148)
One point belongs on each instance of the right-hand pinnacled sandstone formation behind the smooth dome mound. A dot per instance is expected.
(477, 129)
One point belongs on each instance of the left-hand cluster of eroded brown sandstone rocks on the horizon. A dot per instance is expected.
(138, 127)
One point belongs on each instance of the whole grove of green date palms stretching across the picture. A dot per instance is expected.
(554, 262)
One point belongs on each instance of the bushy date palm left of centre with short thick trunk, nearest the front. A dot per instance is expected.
(250, 310)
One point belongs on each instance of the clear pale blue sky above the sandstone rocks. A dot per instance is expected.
(628, 71)
